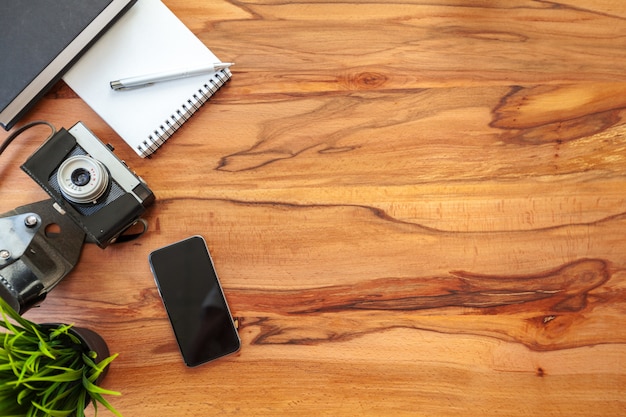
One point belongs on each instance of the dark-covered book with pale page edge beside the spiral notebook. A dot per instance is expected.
(39, 40)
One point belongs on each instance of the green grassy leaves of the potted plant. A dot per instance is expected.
(45, 371)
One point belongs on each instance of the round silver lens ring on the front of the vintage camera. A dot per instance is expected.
(82, 179)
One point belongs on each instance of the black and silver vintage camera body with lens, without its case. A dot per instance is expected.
(89, 183)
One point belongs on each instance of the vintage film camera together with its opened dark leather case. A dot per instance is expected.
(95, 197)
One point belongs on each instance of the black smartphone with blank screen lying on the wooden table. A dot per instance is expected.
(194, 301)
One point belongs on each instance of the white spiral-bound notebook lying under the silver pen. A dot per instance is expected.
(148, 39)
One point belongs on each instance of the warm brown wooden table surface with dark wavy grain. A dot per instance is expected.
(415, 208)
